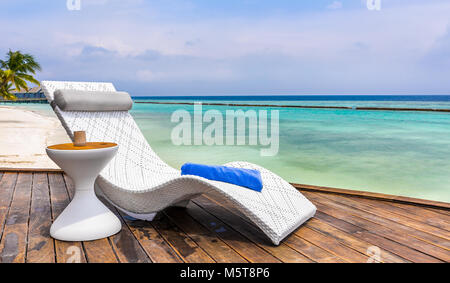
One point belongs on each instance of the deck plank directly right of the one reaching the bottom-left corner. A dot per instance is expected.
(40, 244)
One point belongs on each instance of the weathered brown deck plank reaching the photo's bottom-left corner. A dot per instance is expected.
(13, 243)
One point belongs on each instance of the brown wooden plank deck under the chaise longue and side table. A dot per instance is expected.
(345, 229)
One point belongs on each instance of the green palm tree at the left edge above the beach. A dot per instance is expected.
(17, 70)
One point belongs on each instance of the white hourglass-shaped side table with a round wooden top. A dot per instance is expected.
(86, 218)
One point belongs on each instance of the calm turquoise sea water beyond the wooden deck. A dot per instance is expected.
(393, 152)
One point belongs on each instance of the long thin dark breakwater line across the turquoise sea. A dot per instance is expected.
(303, 106)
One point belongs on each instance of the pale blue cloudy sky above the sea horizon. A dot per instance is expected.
(237, 47)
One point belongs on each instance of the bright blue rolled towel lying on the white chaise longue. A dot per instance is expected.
(247, 178)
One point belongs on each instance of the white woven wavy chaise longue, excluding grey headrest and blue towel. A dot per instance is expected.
(139, 183)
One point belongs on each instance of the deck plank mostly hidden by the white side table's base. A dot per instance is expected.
(98, 251)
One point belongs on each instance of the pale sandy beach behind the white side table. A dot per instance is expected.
(24, 135)
